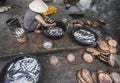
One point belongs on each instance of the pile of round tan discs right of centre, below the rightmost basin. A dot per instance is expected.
(105, 50)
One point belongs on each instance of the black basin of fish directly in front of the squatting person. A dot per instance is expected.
(55, 32)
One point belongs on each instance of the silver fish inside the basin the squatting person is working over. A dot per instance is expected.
(54, 31)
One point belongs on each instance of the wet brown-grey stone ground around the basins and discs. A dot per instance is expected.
(64, 71)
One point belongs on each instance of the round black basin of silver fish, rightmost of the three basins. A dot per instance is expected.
(84, 36)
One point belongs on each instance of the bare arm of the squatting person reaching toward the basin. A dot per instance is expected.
(42, 21)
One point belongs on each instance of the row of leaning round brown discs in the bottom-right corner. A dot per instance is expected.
(100, 76)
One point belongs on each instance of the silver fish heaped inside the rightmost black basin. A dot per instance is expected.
(84, 36)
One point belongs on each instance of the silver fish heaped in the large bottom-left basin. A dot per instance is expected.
(26, 70)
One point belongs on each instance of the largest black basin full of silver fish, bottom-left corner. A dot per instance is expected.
(21, 69)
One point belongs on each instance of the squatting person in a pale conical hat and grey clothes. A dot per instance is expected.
(33, 18)
